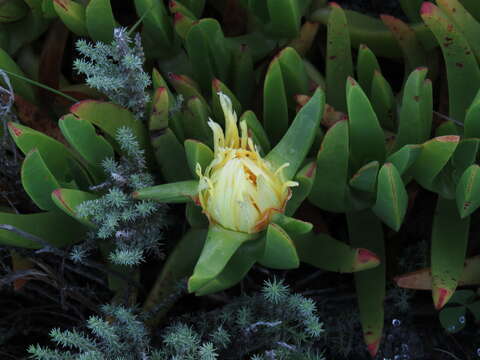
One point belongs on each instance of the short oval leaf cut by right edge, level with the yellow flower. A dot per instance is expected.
(468, 193)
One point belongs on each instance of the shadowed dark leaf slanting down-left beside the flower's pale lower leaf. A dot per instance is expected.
(179, 264)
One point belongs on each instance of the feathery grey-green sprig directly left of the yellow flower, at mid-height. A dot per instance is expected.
(132, 226)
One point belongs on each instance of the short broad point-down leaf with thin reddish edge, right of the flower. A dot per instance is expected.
(392, 198)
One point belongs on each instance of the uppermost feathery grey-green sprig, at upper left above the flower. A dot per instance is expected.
(116, 70)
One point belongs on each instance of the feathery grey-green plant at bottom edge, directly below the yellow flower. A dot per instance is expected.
(272, 325)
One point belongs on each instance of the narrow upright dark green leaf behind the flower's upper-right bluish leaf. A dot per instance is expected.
(275, 107)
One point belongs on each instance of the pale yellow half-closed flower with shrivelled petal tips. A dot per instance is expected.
(239, 190)
